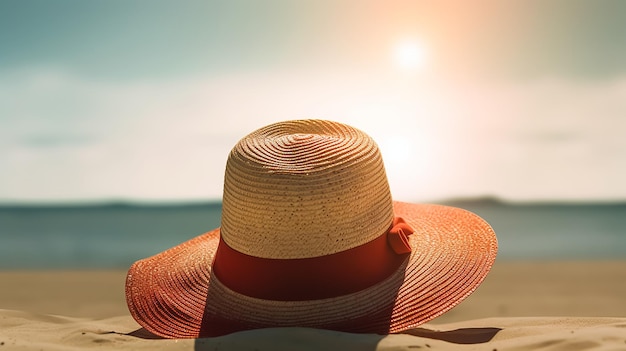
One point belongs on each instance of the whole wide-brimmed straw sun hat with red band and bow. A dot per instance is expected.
(311, 237)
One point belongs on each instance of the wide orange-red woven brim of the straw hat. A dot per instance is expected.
(174, 293)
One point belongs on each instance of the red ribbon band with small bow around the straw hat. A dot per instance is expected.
(314, 278)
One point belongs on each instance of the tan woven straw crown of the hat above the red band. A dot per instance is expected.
(305, 188)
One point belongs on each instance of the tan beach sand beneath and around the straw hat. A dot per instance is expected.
(520, 306)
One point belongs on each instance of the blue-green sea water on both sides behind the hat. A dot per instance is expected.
(115, 235)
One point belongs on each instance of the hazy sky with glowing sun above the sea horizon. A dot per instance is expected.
(524, 100)
